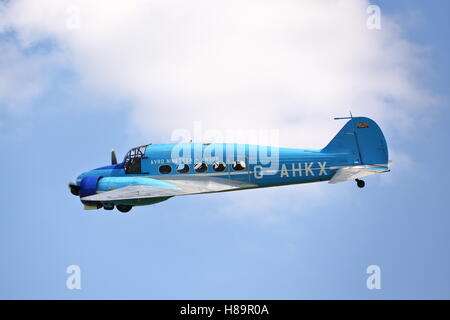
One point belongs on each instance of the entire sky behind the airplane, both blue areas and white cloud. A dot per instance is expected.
(78, 78)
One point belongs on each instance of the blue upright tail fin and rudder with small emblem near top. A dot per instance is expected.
(363, 138)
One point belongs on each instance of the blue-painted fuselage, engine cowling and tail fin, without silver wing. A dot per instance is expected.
(359, 142)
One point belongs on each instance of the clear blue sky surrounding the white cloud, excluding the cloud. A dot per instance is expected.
(183, 249)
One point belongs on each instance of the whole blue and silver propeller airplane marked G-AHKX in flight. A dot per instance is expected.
(153, 173)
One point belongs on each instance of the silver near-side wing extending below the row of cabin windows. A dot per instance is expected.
(177, 187)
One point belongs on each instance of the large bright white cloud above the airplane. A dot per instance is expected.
(291, 65)
